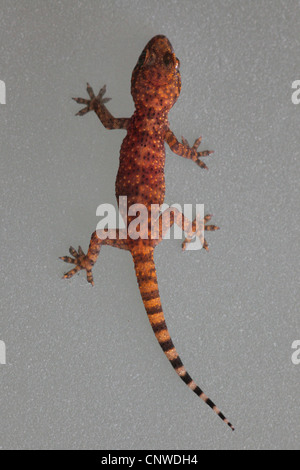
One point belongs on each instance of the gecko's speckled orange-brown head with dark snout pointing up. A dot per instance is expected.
(156, 77)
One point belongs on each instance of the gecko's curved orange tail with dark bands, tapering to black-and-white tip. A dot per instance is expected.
(147, 280)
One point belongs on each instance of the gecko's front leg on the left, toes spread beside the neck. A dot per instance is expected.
(97, 104)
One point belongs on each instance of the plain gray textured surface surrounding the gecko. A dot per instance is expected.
(83, 367)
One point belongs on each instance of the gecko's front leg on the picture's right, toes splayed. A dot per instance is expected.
(184, 150)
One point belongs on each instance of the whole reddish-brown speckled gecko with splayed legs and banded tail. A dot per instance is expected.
(155, 87)
